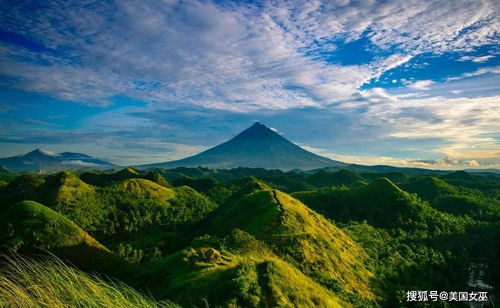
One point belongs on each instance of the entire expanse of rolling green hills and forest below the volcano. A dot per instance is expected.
(247, 237)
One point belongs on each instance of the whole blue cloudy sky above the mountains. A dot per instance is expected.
(405, 83)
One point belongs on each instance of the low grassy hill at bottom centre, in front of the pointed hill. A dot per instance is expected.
(253, 277)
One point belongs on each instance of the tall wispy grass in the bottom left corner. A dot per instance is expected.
(26, 283)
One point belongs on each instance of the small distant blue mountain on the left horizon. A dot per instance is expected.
(42, 161)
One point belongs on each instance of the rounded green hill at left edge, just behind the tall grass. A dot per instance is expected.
(32, 227)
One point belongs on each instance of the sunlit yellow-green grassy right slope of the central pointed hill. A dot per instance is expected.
(319, 248)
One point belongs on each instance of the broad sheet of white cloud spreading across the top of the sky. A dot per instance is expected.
(226, 56)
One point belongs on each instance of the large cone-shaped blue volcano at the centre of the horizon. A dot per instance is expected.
(256, 147)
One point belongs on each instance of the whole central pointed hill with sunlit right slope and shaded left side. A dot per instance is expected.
(297, 234)
